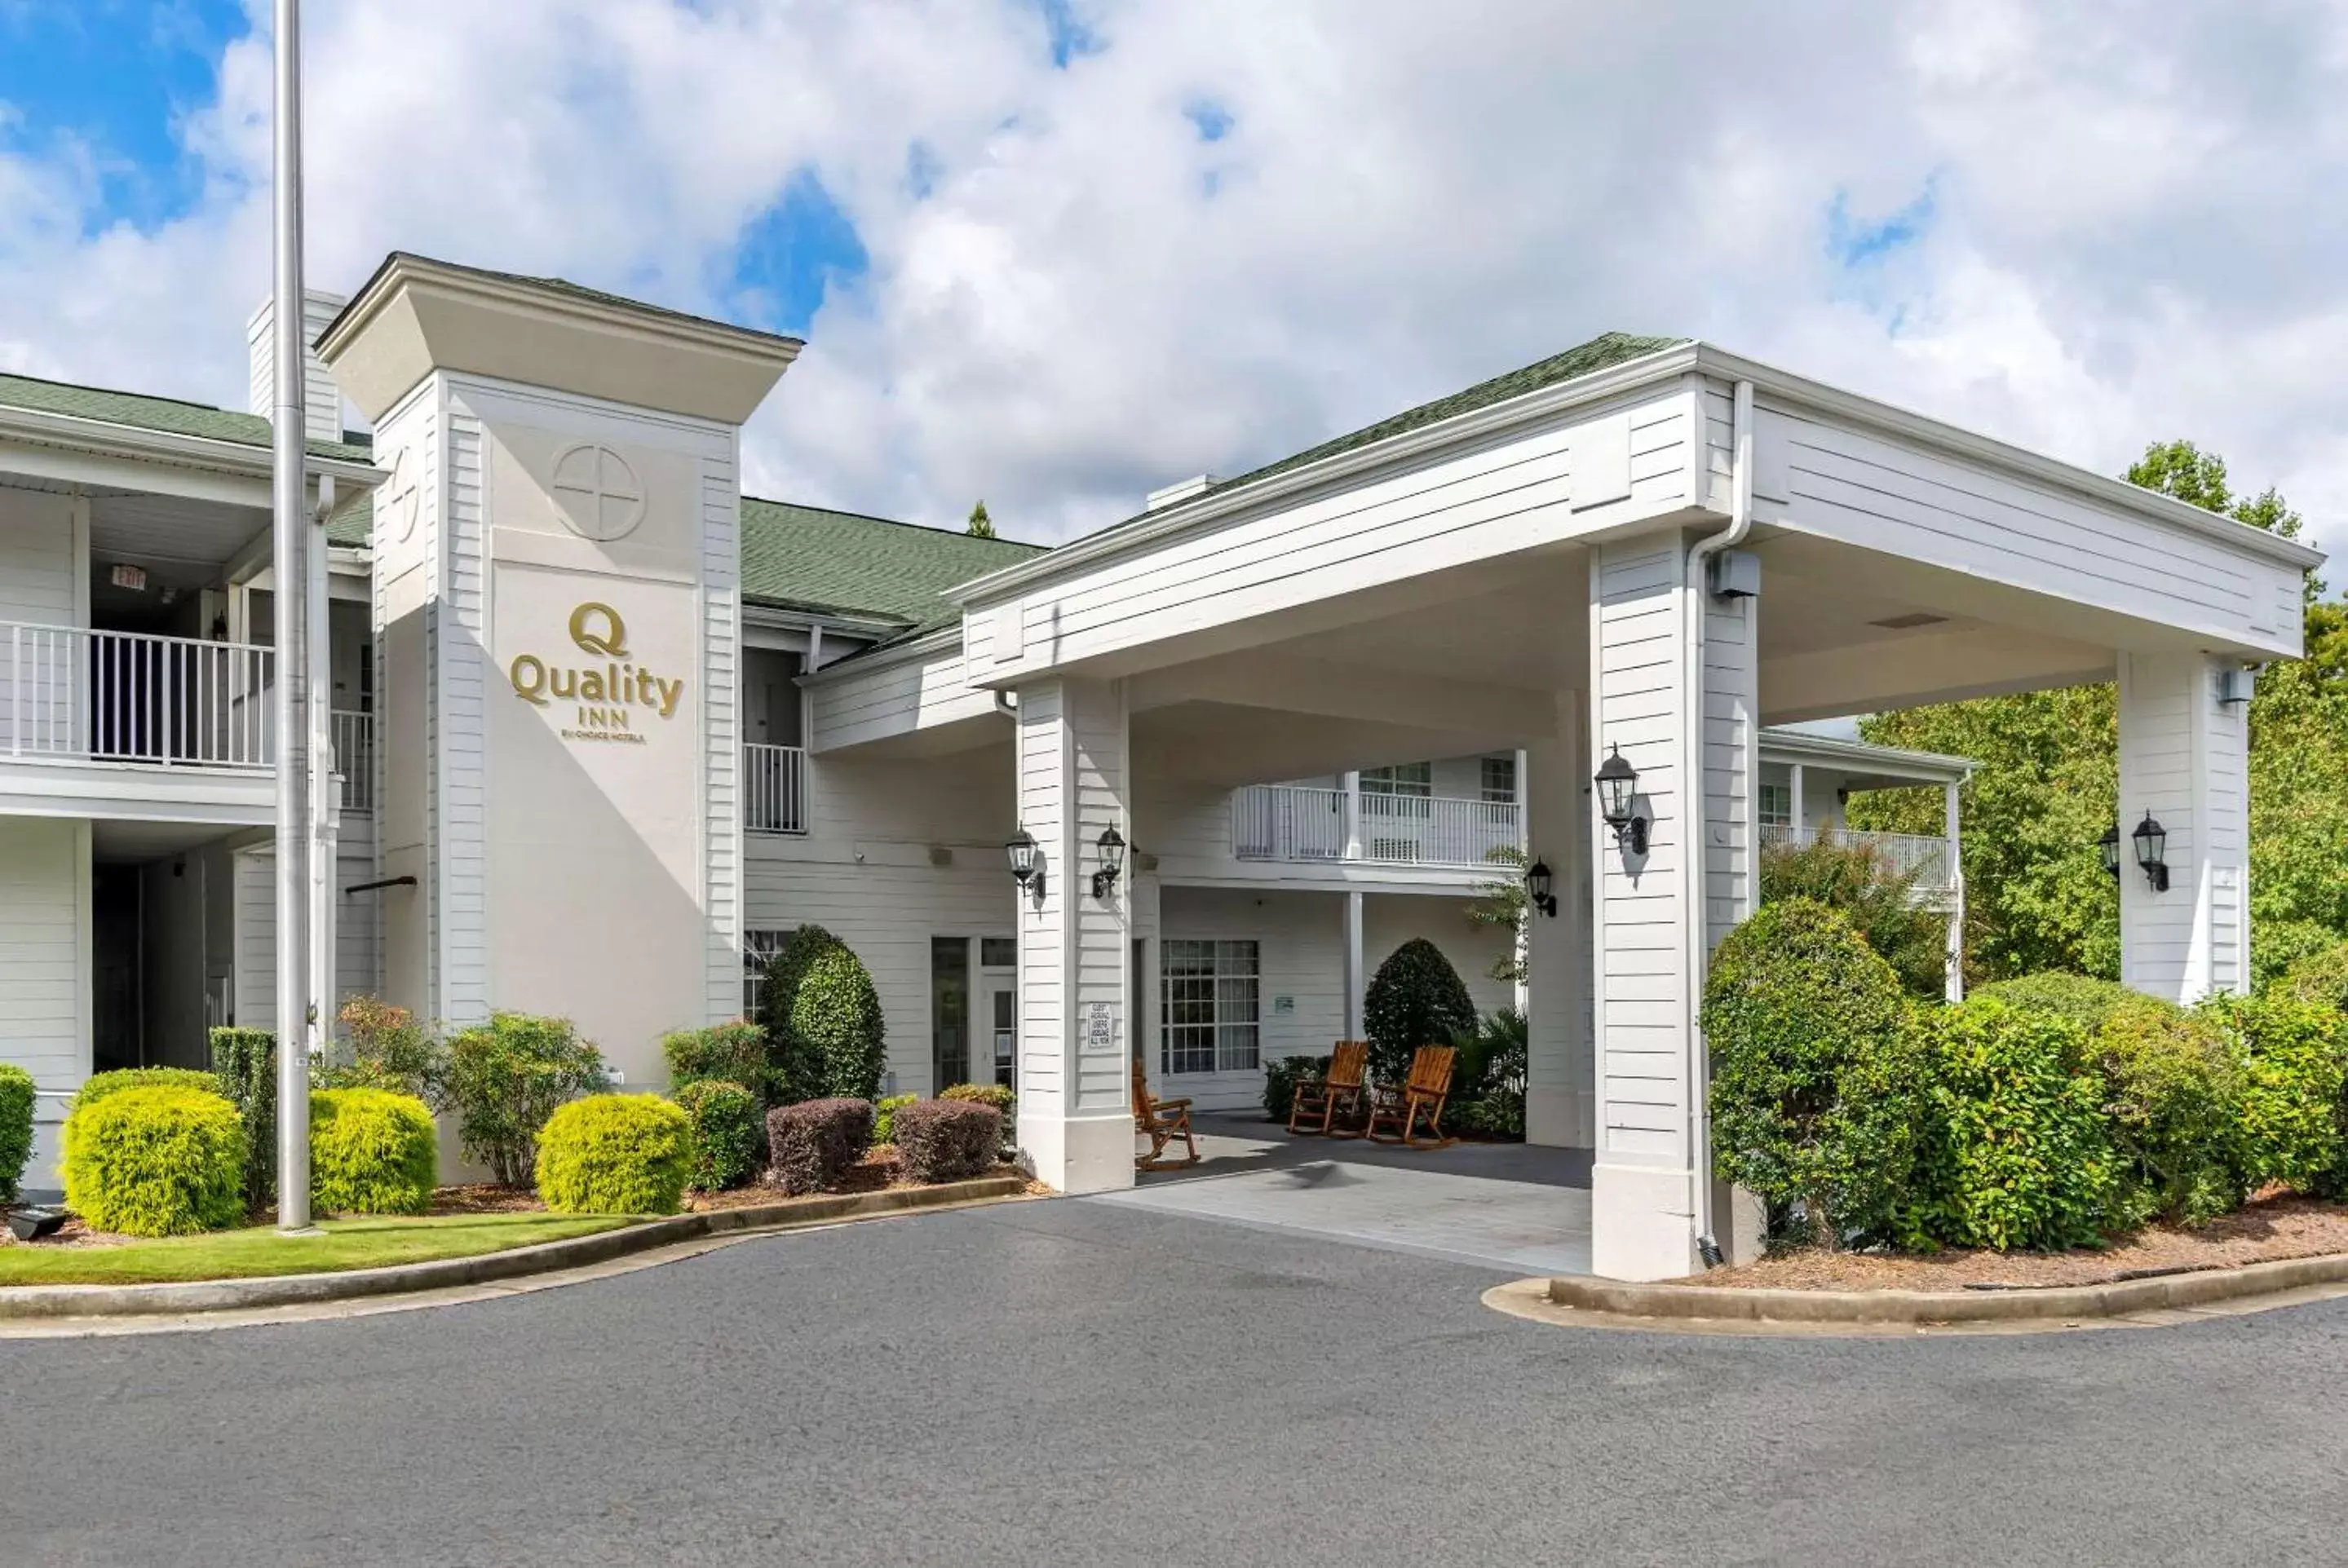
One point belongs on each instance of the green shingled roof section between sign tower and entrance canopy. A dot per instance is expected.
(849, 565)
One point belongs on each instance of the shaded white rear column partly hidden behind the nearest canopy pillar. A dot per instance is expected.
(1560, 1104)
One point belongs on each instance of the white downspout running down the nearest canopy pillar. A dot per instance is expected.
(1692, 773)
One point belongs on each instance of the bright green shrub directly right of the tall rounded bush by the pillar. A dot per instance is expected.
(2016, 1151)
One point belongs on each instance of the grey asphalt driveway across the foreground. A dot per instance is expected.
(1093, 1384)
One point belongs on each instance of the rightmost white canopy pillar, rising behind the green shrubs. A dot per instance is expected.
(2185, 759)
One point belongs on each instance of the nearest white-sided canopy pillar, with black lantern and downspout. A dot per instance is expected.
(1654, 924)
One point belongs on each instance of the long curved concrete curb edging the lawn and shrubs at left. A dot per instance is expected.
(29, 1302)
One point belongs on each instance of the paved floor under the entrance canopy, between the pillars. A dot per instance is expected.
(1499, 1205)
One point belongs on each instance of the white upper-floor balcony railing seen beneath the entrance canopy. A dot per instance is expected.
(1297, 823)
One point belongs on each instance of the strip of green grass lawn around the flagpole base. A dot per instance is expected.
(250, 1255)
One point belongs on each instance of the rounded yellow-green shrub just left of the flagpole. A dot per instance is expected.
(156, 1163)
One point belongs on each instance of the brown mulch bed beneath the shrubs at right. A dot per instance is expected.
(2262, 1231)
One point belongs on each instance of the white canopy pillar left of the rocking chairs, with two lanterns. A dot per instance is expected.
(1074, 947)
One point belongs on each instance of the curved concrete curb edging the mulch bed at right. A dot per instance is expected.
(2051, 1304)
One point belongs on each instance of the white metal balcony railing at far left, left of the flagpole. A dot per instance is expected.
(135, 698)
